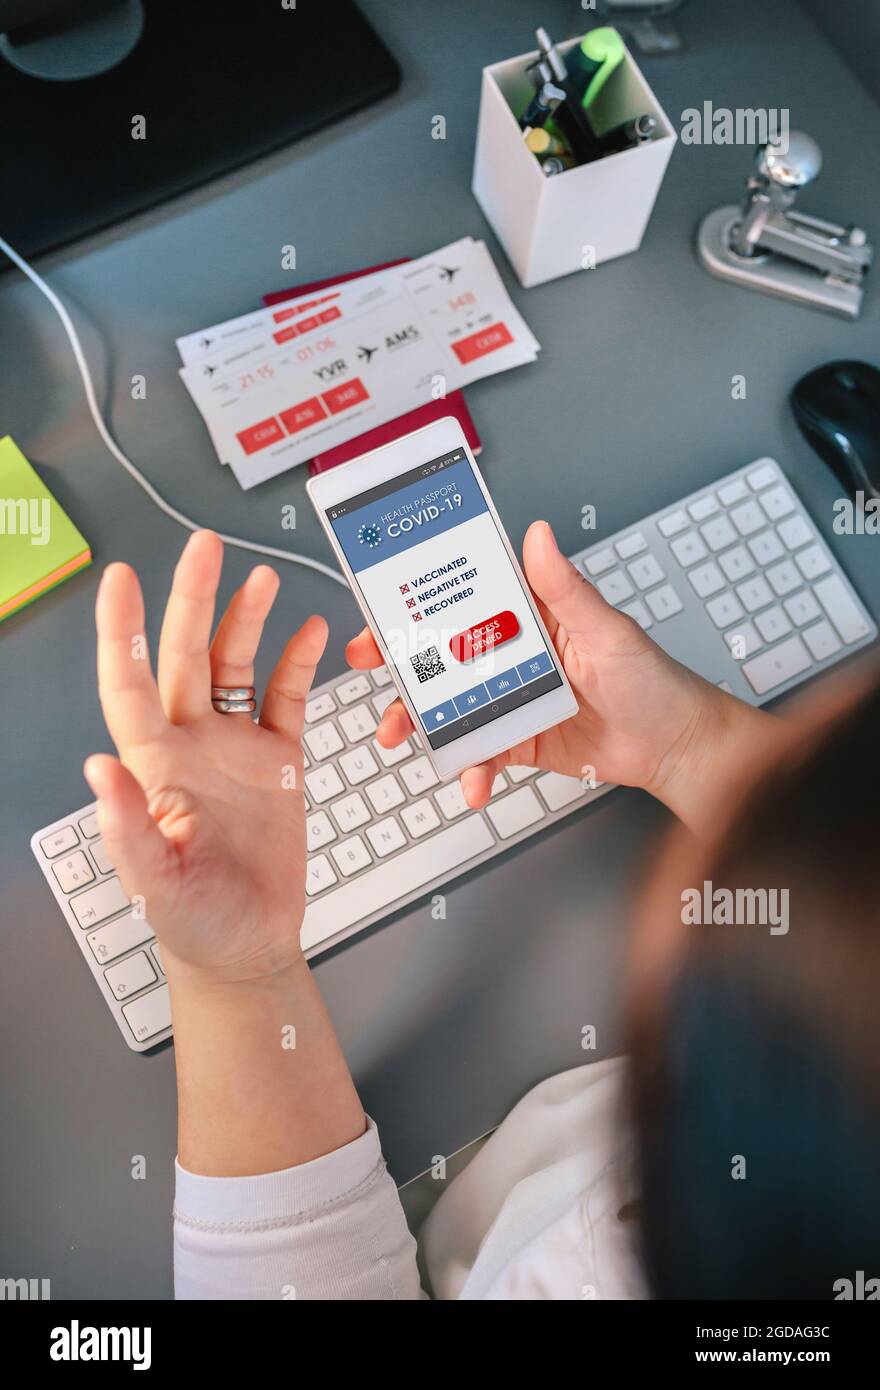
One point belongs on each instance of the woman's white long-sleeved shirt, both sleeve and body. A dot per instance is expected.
(540, 1213)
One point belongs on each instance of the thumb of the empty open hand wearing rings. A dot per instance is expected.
(136, 844)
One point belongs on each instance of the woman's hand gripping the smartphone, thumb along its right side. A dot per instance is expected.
(644, 721)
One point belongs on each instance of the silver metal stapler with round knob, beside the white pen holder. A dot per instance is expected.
(767, 245)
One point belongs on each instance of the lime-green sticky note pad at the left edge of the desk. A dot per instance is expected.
(40, 544)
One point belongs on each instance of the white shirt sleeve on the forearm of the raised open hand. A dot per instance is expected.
(332, 1229)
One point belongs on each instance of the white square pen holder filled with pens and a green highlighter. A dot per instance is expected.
(553, 226)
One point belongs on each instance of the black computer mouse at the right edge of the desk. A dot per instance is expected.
(838, 408)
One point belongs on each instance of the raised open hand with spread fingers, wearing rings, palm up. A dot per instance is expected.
(202, 812)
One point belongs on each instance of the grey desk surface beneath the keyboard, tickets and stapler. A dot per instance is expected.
(446, 1024)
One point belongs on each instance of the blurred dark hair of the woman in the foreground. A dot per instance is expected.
(756, 1085)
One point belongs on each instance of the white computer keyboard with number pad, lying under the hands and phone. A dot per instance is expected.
(735, 582)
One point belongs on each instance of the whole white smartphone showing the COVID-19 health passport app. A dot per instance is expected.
(436, 578)
